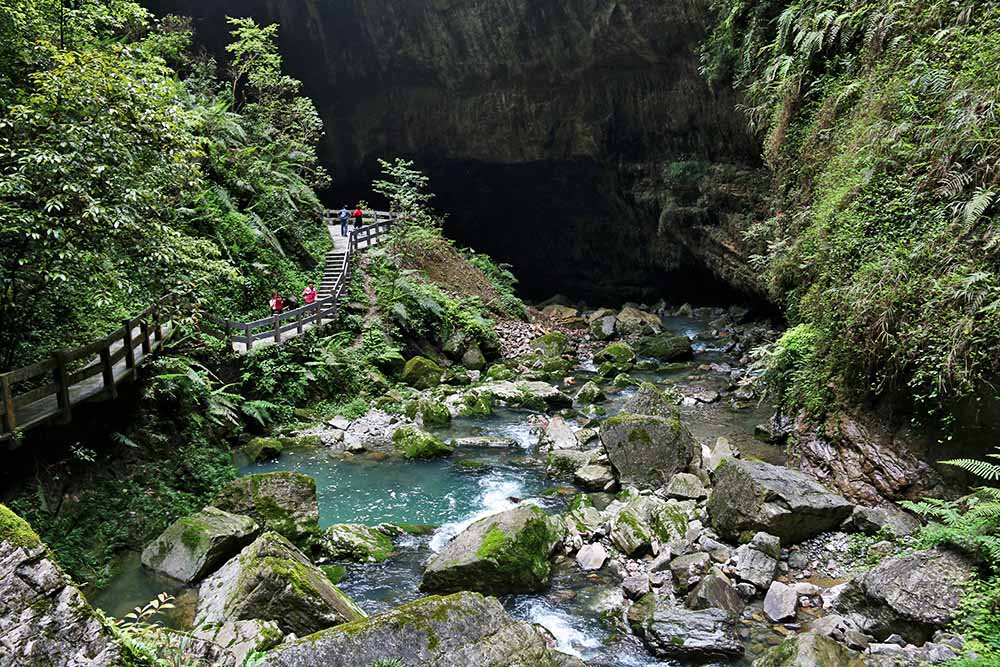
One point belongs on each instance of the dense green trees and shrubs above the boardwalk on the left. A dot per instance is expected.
(128, 170)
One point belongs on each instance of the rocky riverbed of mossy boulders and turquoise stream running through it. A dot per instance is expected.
(613, 481)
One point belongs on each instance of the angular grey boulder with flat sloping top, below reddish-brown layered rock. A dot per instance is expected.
(750, 496)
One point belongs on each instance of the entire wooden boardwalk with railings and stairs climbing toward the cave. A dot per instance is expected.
(48, 390)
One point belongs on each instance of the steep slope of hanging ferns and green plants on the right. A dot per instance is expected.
(880, 125)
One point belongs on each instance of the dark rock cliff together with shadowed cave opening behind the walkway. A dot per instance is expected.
(537, 119)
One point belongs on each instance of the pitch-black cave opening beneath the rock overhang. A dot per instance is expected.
(569, 227)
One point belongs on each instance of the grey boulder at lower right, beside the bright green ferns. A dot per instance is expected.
(912, 595)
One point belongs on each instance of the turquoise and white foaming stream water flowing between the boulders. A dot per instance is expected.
(449, 495)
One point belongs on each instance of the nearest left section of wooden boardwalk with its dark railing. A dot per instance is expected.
(49, 389)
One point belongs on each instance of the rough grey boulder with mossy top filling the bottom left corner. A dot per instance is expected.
(44, 619)
